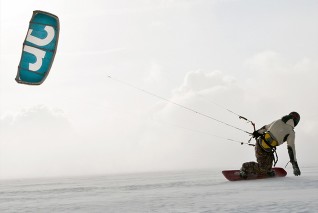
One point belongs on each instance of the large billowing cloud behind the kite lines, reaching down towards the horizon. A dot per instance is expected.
(180, 138)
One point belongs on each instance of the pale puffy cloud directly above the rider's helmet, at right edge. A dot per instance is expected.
(283, 81)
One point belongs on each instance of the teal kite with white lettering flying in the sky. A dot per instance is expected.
(39, 48)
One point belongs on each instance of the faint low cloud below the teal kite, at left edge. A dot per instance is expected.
(34, 141)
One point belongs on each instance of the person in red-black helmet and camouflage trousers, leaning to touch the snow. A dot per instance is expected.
(267, 138)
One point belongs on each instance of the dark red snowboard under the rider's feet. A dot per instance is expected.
(234, 175)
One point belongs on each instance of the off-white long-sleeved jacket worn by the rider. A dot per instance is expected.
(282, 132)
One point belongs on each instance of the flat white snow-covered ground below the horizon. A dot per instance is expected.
(182, 191)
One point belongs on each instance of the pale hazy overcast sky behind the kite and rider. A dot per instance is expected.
(258, 59)
